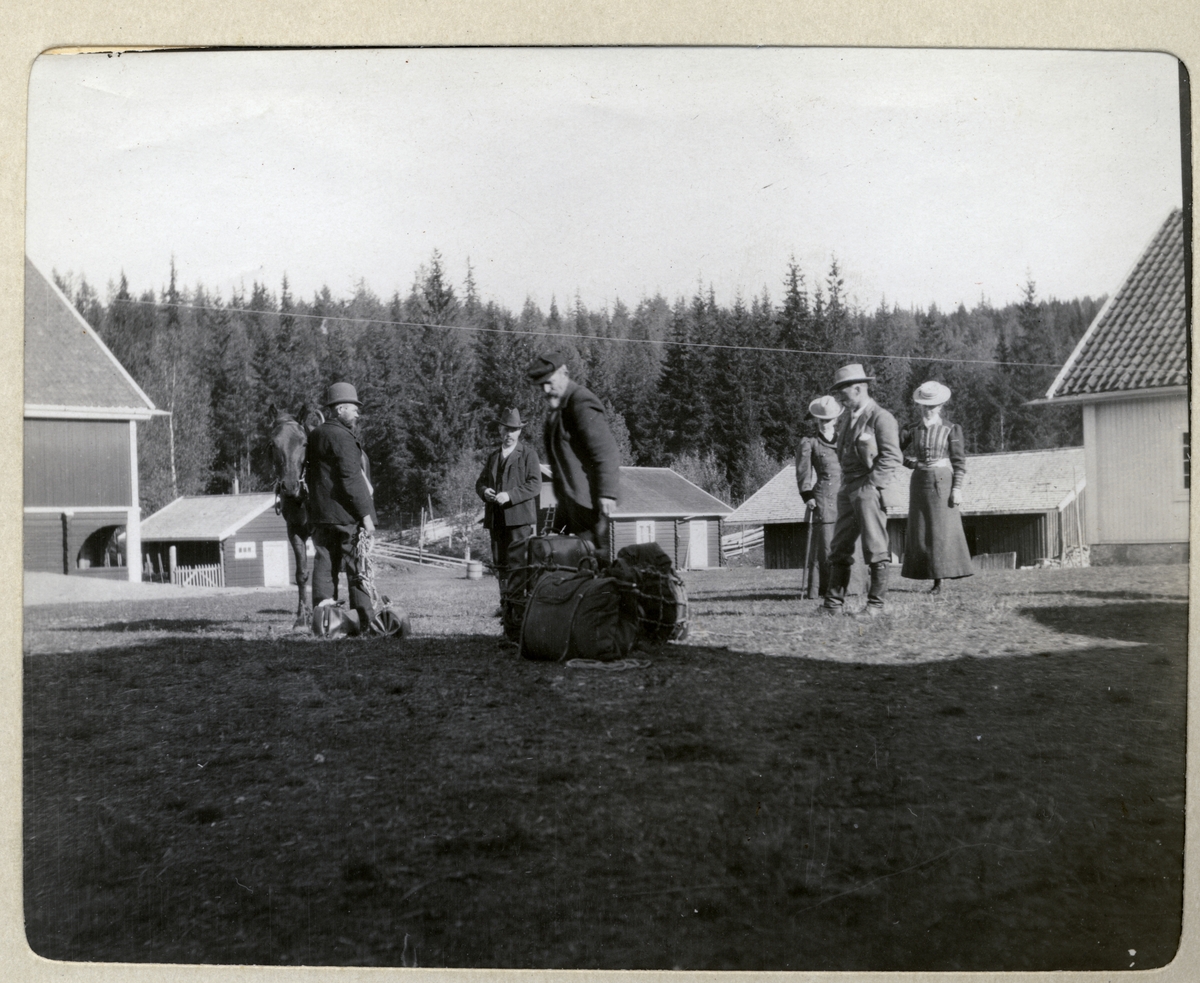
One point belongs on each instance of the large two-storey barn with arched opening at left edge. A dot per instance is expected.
(82, 409)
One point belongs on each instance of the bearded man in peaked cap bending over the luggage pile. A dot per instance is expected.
(581, 452)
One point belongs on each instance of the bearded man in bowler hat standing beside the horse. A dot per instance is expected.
(340, 501)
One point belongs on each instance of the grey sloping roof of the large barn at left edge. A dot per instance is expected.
(69, 370)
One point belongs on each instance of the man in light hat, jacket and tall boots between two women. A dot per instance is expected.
(869, 454)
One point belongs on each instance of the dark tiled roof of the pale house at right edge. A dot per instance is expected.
(1139, 339)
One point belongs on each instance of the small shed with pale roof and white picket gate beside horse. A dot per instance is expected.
(219, 541)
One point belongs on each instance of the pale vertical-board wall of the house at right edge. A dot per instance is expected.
(1135, 454)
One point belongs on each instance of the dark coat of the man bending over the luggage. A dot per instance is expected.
(581, 451)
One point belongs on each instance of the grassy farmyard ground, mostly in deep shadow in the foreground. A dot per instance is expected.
(991, 781)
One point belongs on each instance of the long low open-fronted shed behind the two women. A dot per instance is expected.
(1027, 504)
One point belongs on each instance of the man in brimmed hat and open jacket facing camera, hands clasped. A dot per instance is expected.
(511, 484)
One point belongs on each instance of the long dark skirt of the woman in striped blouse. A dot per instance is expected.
(935, 546)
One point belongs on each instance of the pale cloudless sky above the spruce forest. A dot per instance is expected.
(614, 173)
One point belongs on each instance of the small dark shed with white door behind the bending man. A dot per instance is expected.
(661, 506)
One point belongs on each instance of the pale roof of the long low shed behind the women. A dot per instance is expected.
(998, 484)
